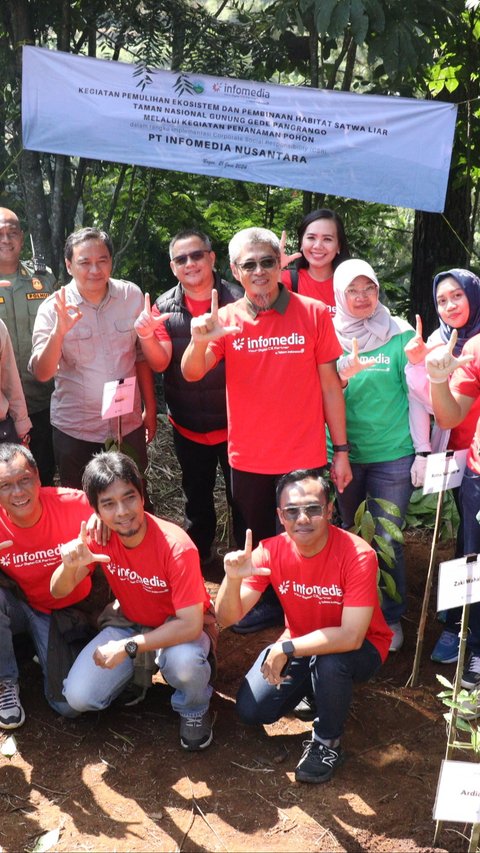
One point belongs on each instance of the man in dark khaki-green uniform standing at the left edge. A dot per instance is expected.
(23, 287)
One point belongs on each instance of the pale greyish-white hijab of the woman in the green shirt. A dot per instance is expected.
(370, 332)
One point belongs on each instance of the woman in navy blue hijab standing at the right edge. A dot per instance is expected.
(456, 295)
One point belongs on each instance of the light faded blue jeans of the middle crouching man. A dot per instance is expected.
(185, 667)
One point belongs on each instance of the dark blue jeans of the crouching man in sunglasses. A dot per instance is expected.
(330, 677)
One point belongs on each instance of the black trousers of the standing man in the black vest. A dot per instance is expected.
(199, 463)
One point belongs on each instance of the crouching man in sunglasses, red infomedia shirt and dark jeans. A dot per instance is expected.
(335, 635)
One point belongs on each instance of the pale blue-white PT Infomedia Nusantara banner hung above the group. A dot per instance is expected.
(385, 149)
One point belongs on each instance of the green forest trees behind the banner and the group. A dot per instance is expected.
(414, 48)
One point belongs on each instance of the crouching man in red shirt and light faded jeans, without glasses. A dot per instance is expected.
(153, 569)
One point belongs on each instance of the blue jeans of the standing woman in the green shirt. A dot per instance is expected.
(390, 481)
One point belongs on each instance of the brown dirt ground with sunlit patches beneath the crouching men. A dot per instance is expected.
(118, 780)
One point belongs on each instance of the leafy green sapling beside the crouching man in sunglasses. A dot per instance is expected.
(365, 525)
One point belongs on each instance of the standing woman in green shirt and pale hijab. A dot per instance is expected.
(378, 412)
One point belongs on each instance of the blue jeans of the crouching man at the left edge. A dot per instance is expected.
(17, 617)
